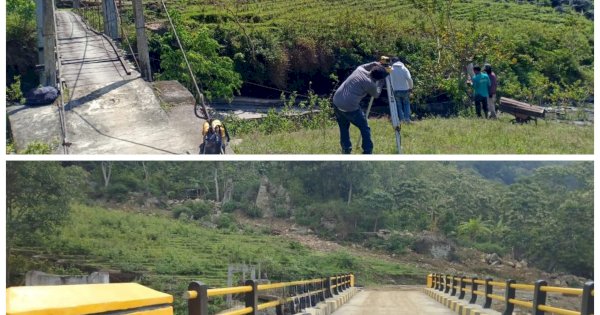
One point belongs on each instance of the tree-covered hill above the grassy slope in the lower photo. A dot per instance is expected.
(544, 215)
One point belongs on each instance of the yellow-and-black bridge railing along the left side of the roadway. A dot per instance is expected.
(305, 294)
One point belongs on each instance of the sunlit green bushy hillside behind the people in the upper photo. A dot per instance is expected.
(542, 51)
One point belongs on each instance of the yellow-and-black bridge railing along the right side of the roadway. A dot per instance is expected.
(454, 285)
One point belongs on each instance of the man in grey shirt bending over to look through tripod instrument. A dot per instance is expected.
(346, 101)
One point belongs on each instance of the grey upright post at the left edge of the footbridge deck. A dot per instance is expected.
(49, 76)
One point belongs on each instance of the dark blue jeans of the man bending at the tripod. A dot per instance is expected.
(358, 119)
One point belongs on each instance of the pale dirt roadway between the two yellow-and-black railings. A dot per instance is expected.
(392, 300)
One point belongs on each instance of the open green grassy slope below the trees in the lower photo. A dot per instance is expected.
(167, 254)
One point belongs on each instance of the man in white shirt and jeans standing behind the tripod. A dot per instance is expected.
(402, 85)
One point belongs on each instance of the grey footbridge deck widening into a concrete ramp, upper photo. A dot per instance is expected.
(107, 111)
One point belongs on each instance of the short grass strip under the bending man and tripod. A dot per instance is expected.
(434, 136)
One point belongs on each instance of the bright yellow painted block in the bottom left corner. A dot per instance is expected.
(124, 298)
